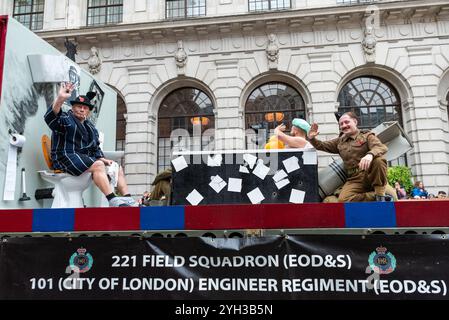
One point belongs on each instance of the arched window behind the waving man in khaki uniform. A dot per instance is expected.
(374, 101)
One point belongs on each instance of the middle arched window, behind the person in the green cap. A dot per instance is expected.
(268, 106)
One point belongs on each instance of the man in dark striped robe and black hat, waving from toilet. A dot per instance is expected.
(75, 145)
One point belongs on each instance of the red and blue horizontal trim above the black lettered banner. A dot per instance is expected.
(426, 213)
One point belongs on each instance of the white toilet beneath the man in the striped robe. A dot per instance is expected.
(68, 190)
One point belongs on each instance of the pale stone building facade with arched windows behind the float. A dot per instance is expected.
(230, 49)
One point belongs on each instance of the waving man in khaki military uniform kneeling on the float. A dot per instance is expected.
(363, 157)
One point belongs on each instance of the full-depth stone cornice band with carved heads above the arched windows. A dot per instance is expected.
(236, 34)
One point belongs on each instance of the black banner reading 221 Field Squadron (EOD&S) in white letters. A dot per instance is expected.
(294, 267)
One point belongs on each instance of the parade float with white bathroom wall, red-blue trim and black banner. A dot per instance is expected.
(241, 224)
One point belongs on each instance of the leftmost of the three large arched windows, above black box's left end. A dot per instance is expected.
(185, 109)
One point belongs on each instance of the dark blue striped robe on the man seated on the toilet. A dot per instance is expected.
(75, 146)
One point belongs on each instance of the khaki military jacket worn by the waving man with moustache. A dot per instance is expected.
(352, 150)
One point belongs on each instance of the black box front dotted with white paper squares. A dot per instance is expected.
(198, 173)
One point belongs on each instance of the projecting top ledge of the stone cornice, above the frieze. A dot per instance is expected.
(266, 21)
